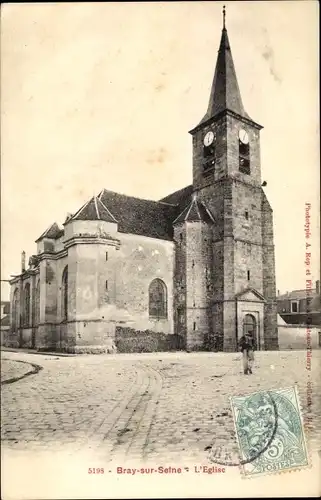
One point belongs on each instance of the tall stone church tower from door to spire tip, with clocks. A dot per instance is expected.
(227, 179)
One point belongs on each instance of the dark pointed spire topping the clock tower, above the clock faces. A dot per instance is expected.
(225, 92)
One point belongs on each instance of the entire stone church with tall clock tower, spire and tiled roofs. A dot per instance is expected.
(197, 265)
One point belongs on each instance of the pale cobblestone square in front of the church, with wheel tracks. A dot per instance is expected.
(162, 406)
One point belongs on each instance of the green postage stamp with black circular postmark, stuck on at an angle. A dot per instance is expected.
(269, 431)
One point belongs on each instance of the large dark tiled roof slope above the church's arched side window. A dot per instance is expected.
(138, 216)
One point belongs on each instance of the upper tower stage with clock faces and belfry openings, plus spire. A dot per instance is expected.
(226, 142)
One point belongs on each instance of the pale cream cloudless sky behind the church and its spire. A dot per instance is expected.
(102, 95)
